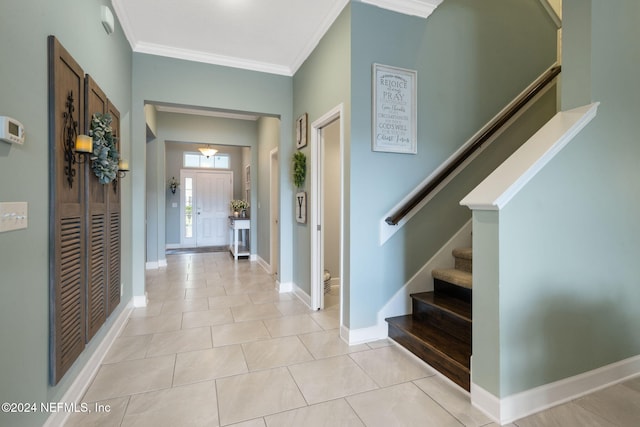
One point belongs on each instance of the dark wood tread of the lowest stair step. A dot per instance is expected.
(446, 345)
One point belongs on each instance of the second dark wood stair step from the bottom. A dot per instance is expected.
(446, 312)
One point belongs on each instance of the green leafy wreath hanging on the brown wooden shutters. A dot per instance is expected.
(104, 160)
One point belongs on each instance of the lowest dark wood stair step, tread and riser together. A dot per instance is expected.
(446, 353)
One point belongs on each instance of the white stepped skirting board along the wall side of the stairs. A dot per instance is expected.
(400, 303)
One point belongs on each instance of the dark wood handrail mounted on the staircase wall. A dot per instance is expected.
(474, 146)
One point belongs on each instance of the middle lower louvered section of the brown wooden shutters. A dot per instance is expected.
(96, 298)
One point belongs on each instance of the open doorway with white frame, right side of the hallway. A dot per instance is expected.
(327, 211)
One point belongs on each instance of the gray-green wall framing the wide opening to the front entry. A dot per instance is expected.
(171, 81)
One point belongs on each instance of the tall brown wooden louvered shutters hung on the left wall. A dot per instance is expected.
(84, 224)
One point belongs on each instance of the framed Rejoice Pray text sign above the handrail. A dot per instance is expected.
(394, 115)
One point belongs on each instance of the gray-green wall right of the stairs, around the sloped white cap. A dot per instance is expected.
(563, 252)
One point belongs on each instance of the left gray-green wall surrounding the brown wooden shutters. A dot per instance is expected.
(24, 172)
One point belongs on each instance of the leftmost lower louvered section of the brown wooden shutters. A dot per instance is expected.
(69, 306)
